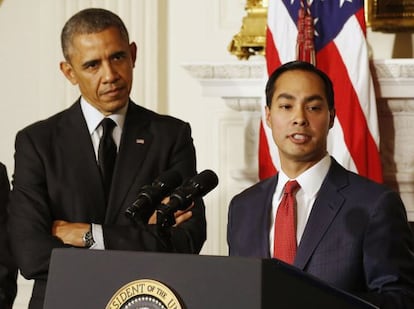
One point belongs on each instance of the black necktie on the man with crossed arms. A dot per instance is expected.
(107, 153)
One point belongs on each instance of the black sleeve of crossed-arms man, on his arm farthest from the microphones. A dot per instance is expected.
(30, 216)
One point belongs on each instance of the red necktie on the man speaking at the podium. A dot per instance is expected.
(285, 225)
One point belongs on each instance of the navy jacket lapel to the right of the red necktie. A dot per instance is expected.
(327, 204)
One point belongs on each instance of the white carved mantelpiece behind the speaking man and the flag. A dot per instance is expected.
(241, 86)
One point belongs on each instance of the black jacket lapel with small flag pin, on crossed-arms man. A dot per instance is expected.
(135, 142)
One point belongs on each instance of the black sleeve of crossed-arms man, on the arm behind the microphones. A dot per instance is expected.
(189, 236)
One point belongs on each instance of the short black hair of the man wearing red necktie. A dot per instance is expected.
(300, 66)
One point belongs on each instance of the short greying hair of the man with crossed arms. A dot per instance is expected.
(91, 20)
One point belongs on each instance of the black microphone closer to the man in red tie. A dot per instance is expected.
(182, 197)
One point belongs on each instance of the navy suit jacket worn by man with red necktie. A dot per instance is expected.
(357, 237)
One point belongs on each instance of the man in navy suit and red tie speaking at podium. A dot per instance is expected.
(350, 232)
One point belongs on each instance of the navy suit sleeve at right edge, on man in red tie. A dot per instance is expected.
(388, 255)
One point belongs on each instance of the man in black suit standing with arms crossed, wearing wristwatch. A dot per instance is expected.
(58, 198)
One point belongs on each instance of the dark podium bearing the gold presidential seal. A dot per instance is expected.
(80, 278)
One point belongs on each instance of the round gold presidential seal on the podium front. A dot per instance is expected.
(144, 294)
